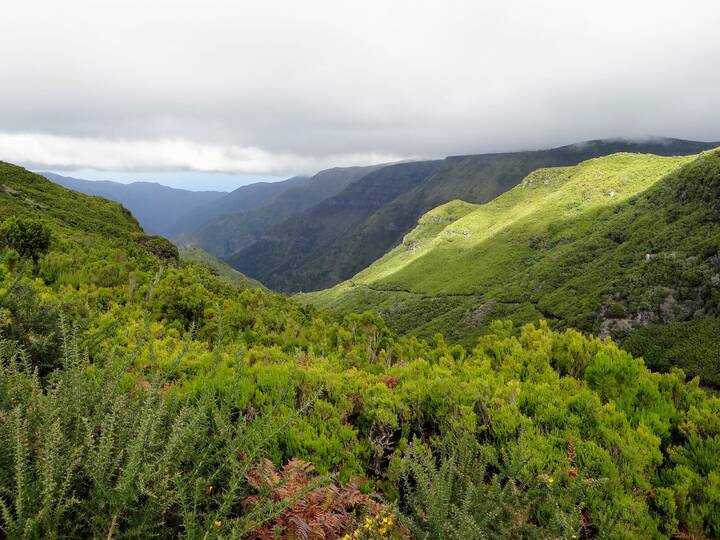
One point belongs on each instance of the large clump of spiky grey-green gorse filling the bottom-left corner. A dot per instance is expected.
(93, 452)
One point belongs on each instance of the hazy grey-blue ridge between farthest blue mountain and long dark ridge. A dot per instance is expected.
(241, 224)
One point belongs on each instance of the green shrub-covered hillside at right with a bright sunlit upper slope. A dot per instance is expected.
(626, 245)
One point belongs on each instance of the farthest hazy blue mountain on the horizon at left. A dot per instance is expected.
(156, 207)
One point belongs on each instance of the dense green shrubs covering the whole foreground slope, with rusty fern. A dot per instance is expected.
(143, 395)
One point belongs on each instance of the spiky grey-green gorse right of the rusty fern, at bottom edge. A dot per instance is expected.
(471, 492)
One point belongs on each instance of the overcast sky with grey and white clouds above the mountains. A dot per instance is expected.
(205, 94)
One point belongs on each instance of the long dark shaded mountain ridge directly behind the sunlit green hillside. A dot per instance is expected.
(339, 237)
